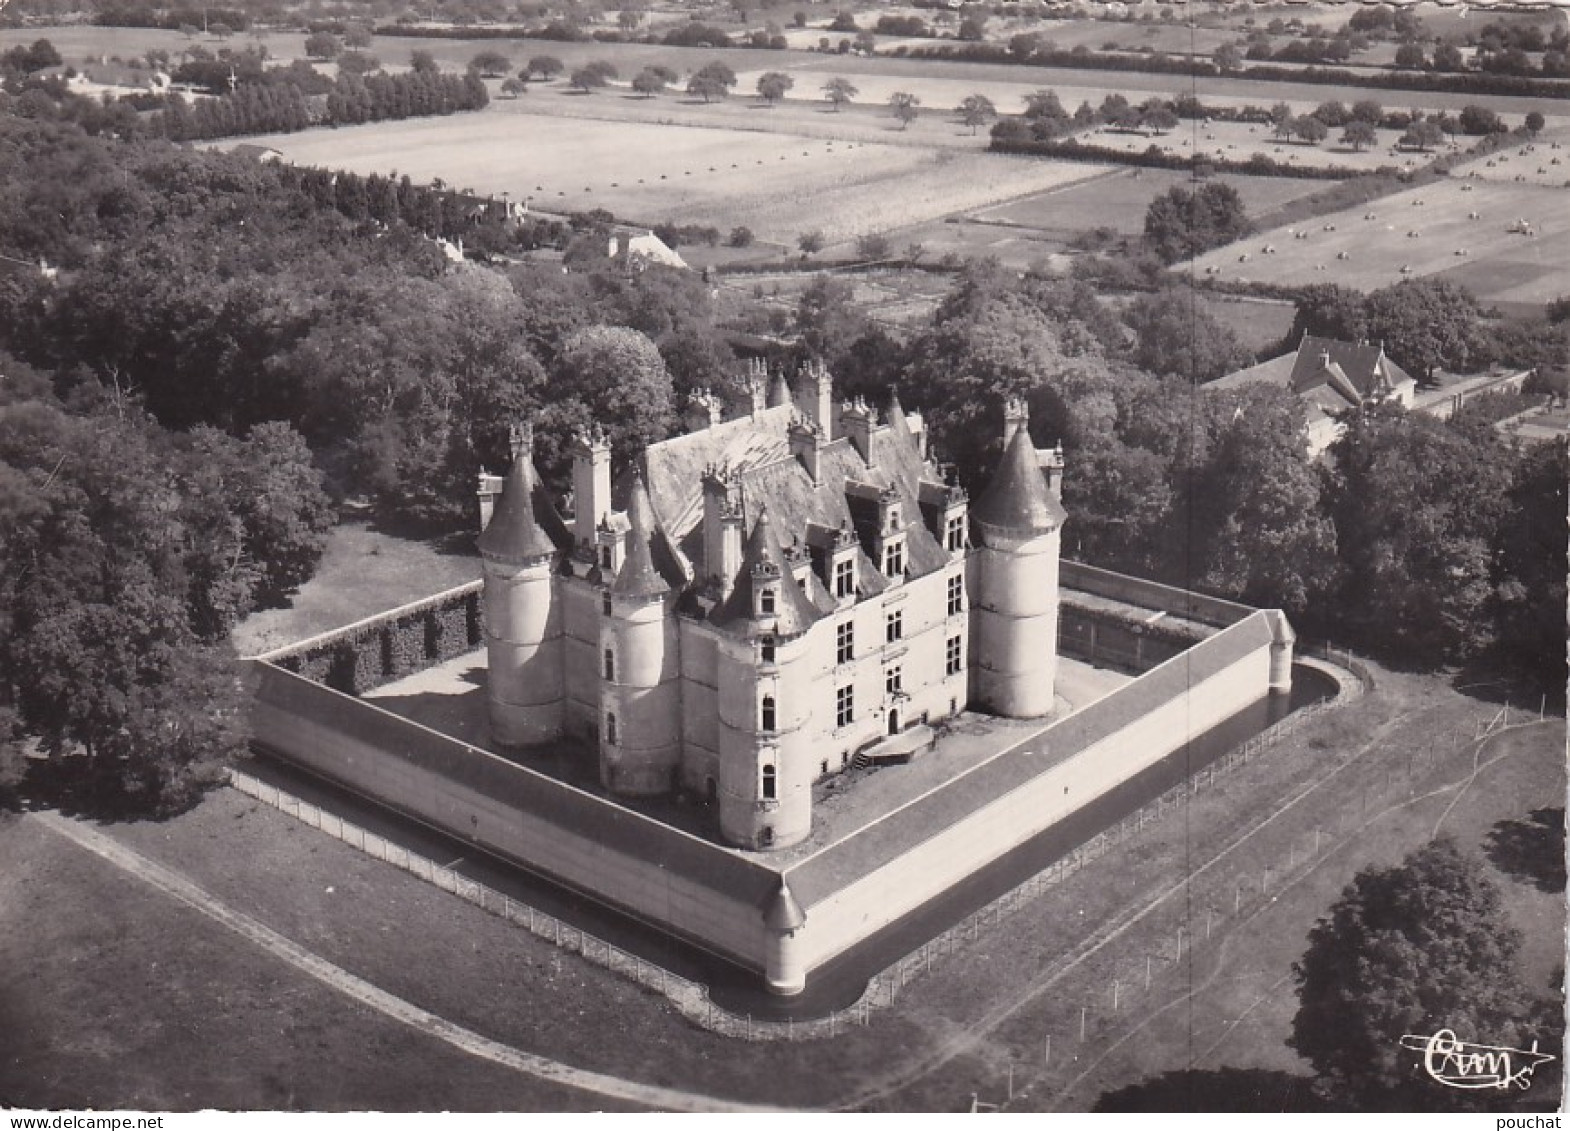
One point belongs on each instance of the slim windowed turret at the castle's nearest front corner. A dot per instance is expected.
(767, 761)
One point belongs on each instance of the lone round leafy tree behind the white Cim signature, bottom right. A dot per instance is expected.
(1408, 950)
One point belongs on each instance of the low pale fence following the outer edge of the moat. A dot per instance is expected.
(885, 989)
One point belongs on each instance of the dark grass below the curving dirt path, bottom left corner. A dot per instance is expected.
(120, 997)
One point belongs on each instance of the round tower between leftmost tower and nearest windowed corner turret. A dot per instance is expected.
(640, 687)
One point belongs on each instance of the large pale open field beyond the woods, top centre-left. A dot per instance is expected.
(778, 185)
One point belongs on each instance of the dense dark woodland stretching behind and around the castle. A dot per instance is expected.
(227, 348)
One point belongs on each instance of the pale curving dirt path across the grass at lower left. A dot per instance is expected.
(360, 990)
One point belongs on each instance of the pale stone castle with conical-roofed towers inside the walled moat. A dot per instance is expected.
(751, 606)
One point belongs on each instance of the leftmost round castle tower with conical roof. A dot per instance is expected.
(524, 629)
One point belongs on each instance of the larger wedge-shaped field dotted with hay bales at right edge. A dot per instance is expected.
(1420, 233)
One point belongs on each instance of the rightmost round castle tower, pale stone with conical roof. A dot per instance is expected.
(1013, 579)
